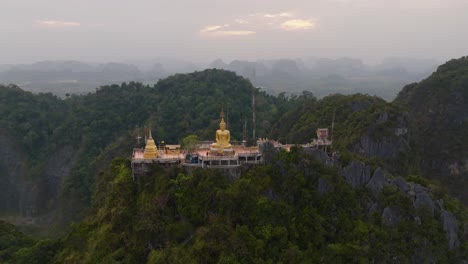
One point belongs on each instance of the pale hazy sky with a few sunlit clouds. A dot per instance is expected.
(204, 30)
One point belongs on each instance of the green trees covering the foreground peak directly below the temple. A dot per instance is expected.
(272, 214)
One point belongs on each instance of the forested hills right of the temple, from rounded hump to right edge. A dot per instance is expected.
(421, 133)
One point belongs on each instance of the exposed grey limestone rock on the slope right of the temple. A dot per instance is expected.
(359, 175)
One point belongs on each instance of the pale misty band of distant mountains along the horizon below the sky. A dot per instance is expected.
(321, 76)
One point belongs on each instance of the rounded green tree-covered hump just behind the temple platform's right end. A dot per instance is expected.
(357, 111)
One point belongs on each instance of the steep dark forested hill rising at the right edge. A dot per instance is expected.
(438, 108)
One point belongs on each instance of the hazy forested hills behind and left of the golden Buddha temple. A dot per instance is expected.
(55, 148)
